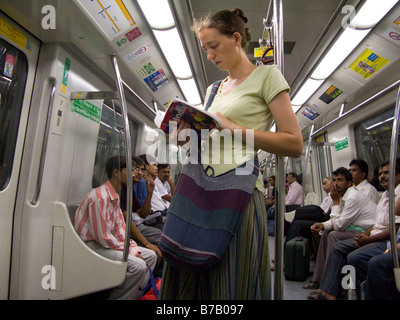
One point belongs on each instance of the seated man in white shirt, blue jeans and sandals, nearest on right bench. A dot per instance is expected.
(368, 244)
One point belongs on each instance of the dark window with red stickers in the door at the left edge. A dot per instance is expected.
(13, 74)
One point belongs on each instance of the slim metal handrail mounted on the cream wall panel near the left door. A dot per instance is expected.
(38, 188)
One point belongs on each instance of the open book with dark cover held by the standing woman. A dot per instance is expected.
(178, 110)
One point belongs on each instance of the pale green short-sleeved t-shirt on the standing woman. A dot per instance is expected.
(246, 105)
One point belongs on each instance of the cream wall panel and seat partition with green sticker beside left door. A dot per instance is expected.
(49, 260)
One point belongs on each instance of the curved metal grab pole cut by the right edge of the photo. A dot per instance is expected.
(392, 170)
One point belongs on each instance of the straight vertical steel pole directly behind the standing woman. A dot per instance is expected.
(280, 207)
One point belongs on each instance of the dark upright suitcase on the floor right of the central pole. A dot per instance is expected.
(297, 259)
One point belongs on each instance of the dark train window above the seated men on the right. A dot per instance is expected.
(373, 138)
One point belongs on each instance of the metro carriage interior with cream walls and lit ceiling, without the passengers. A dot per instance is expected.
(70, 67)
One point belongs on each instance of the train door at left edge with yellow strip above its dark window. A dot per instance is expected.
(18, 59)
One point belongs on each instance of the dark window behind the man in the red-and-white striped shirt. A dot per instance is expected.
(111, 140)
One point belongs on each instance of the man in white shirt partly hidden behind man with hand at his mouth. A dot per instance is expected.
(359, 172)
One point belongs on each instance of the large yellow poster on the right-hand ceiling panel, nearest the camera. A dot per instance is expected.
(368, 63)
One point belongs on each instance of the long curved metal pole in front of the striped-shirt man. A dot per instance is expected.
(129, 186)
